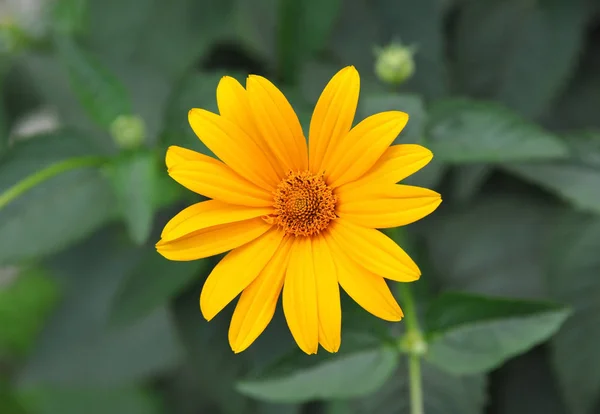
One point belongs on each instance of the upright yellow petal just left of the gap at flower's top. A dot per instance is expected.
(278, 123)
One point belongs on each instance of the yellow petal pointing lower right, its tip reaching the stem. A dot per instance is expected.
(368, 290)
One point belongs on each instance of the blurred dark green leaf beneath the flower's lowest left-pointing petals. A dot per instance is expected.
(152, 284)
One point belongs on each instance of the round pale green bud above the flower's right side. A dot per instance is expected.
(395, 63)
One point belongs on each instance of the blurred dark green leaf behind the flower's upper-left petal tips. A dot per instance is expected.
(195, 91)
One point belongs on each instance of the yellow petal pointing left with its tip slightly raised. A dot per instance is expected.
(213, 179)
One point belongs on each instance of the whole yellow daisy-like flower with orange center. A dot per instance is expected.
(296, 217)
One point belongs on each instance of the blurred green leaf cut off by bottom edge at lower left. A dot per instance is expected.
(54, 400)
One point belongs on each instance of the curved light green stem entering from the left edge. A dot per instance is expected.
(40, 176)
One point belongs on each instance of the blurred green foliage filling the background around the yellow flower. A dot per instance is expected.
(506, 93)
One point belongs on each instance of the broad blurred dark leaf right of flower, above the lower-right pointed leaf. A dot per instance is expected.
(499, 257)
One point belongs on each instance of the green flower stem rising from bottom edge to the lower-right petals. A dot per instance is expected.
(415, 345)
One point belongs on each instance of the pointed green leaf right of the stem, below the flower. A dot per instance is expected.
(469, 334)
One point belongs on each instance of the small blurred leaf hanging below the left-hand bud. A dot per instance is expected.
(135, 177)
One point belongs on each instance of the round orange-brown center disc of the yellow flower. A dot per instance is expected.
(304, 204)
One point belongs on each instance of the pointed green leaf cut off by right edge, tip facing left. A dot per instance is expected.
(574, 180)
